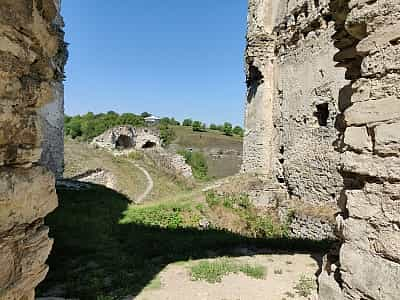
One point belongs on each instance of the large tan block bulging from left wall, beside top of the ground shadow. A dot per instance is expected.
(25, 196)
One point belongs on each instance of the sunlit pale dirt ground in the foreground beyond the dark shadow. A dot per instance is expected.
(283, 274)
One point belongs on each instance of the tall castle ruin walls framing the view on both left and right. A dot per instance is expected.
(322, 120)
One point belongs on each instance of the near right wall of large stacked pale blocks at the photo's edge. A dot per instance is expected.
(368, 265)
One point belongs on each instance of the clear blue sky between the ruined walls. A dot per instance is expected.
(181, 58)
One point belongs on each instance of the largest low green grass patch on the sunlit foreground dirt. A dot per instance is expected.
(214, 271)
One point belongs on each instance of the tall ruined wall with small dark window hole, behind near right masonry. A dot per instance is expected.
(293, 104)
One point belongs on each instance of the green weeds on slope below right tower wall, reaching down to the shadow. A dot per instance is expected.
(255, 224)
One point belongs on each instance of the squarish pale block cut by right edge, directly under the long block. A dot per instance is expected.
(387, 139)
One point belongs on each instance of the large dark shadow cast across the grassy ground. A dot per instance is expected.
(94, 256)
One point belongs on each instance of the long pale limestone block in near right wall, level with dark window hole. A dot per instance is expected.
(367, 112)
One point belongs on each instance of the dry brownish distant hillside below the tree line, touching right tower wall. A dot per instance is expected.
(224, 153)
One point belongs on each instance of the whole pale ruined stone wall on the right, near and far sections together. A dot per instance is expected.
(323, 115)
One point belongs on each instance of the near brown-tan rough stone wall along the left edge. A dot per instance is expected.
(31, 69)
